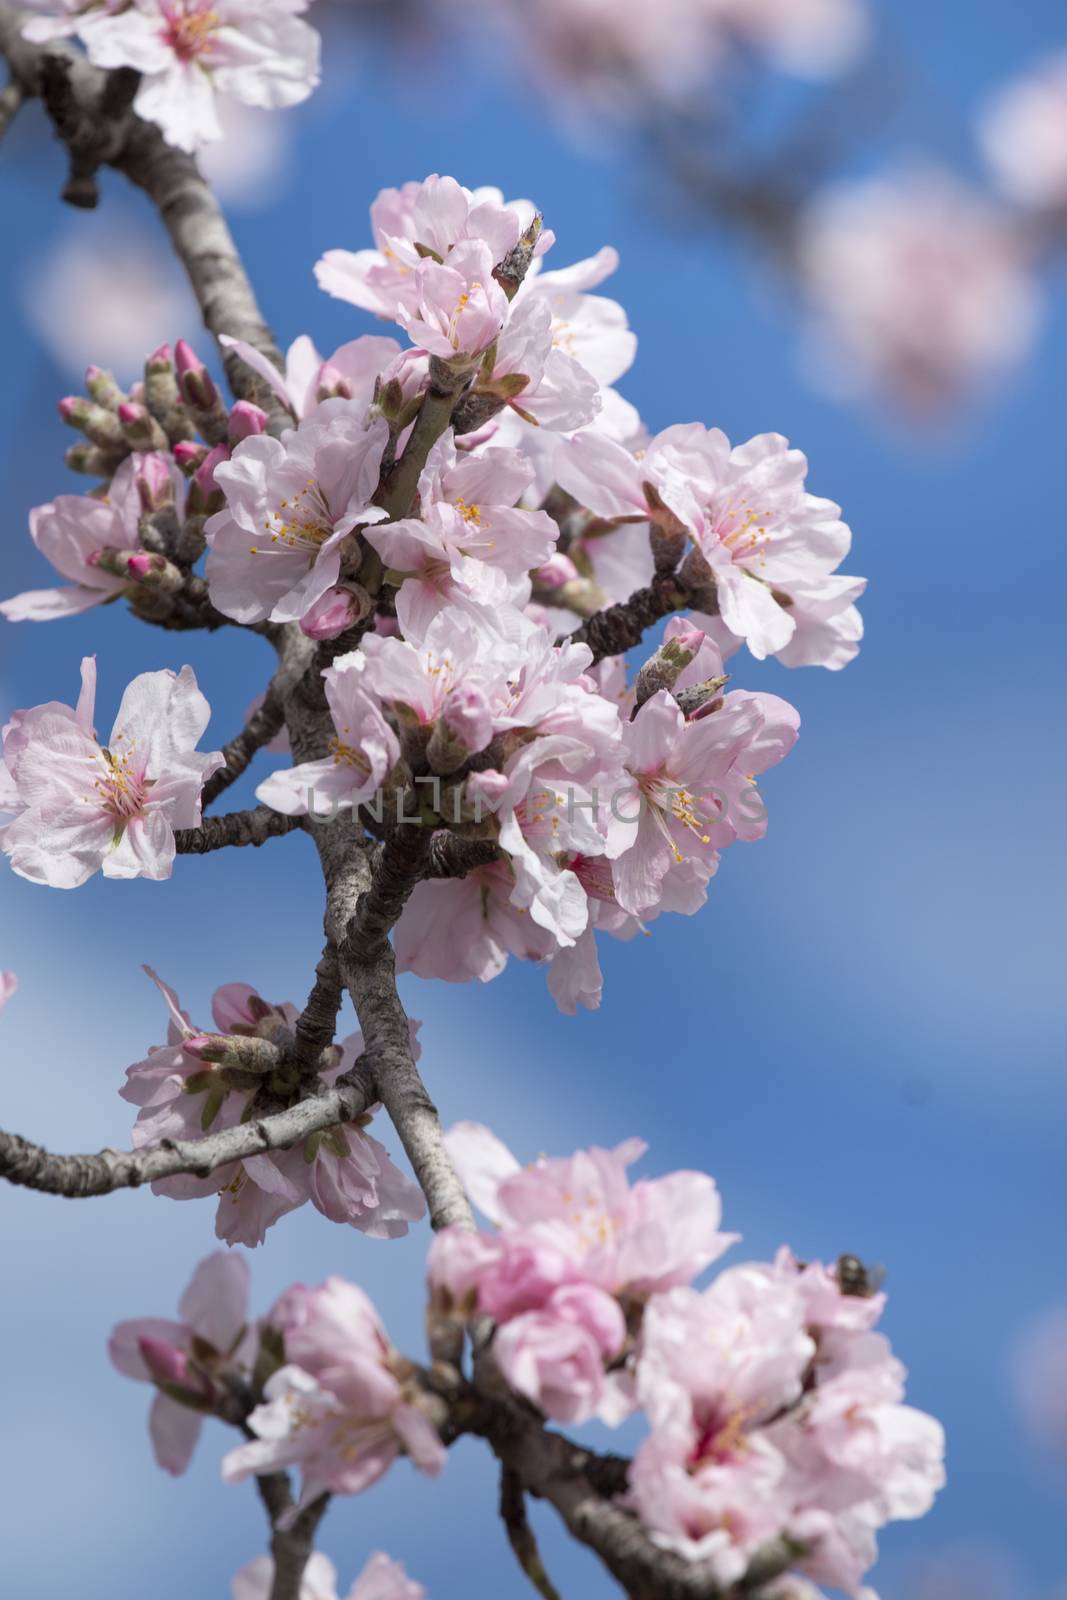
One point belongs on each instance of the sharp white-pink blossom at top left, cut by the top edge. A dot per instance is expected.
(188, 52)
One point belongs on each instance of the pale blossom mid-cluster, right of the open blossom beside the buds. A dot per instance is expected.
(471, 540)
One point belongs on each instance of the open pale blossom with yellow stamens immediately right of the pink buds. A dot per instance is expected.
(292, 505)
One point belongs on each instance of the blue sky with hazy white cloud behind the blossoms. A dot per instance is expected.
(861, 1038)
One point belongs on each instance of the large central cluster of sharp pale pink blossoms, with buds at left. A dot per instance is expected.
(543, 500)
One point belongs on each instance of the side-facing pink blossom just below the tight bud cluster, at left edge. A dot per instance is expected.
(73, 532)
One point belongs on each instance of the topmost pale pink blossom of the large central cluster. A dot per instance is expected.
(414, 225)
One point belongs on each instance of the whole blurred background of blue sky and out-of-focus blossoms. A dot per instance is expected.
(833, 226)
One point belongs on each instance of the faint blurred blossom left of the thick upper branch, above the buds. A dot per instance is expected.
(106, 295)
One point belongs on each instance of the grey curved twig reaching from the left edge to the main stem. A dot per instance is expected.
(79, 1177)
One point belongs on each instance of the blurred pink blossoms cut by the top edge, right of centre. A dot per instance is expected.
(615, 58)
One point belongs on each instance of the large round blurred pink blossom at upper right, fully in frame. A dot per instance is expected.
(919, 290)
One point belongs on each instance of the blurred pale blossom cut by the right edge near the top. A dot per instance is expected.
(1025, 135)
